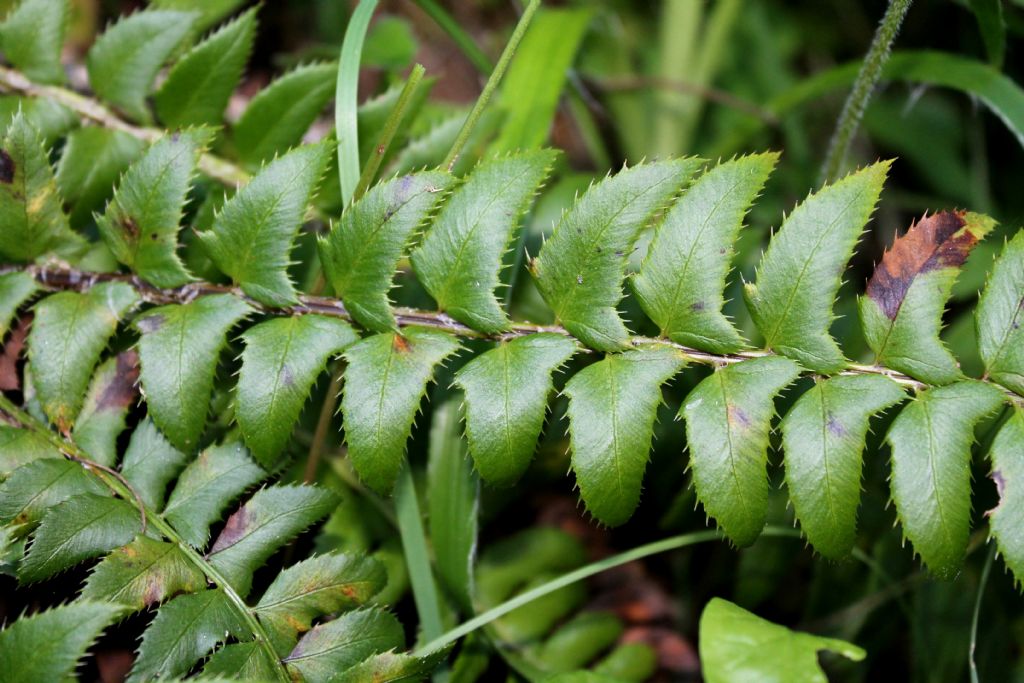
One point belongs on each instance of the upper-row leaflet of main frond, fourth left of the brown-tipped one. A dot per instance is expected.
(460, 260)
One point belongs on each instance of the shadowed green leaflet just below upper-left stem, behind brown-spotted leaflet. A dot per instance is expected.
(91, 166)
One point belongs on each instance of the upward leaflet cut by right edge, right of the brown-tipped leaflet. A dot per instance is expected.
(1001, 319)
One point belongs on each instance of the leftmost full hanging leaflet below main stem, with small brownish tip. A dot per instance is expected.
(69, 333)
